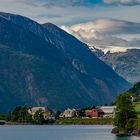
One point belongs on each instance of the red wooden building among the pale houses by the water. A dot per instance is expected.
(94, 113)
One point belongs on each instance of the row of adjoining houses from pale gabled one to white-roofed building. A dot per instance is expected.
(99, 112)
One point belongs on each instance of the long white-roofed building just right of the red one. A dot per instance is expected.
(109, 111)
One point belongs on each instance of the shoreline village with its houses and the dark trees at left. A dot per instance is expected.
(45, 115)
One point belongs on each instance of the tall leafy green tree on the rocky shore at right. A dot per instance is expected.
(124, 113)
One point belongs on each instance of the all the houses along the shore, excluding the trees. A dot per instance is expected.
(99, 112)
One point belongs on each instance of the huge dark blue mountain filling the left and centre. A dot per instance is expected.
(43, 65)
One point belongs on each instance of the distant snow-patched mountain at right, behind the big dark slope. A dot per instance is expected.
(126, 64)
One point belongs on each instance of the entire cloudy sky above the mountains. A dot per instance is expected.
(95, 22)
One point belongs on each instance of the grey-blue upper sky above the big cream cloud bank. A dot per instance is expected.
(70, 12)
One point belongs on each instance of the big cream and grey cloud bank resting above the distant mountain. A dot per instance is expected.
(107, 32)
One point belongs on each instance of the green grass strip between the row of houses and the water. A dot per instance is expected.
(84, 121)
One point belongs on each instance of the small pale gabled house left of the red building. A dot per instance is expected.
(69, 113)
